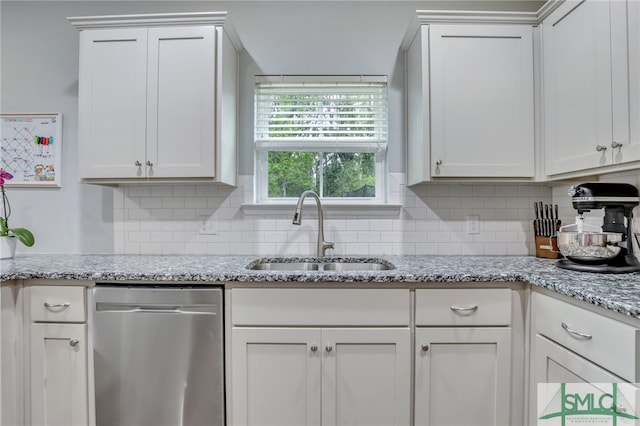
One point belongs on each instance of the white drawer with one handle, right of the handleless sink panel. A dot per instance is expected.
(464, 307)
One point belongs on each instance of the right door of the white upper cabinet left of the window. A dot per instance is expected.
(181, 103)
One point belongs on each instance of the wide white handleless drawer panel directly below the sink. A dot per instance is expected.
(320, 307)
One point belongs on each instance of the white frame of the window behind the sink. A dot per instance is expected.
(263, 146)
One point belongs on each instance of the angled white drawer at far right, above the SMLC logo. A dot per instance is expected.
(600, 339)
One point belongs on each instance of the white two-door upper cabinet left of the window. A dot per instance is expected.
(157, 98)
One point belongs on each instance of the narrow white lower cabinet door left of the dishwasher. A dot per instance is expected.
(59, 374)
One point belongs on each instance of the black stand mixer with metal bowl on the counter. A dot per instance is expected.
(609, 251)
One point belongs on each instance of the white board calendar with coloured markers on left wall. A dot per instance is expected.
(30, 148)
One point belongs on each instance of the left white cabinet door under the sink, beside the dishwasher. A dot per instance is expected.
(276, 376)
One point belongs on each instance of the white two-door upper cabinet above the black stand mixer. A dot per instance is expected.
(590, 74)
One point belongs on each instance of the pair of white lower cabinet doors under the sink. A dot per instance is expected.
(291, 376)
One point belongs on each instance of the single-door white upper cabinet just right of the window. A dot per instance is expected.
(470, 96)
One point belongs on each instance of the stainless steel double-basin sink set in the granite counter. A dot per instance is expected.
(322, 264)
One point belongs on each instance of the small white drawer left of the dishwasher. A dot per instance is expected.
(58, 304)
